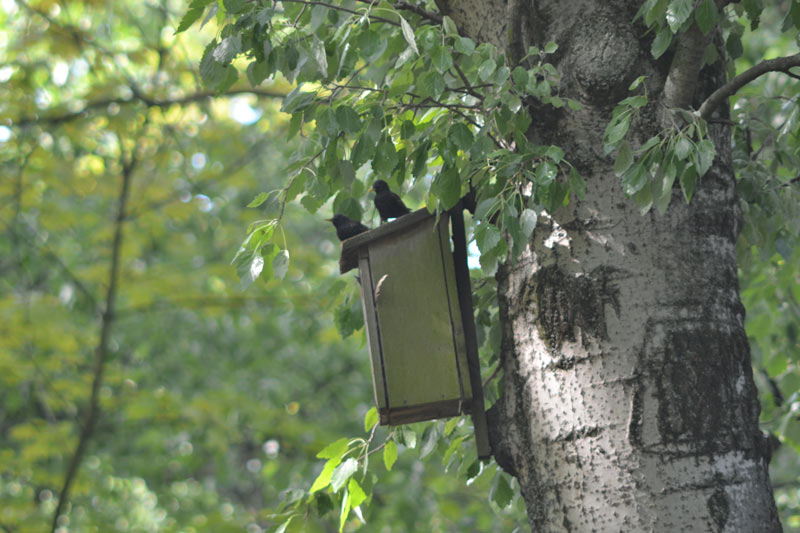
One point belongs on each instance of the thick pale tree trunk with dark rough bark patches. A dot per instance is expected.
(629, 402)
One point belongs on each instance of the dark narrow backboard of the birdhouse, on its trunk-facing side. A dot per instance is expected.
(465, 300)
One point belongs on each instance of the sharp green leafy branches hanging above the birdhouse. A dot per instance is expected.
(447, 114)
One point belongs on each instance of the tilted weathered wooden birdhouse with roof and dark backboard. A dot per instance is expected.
(417, 307)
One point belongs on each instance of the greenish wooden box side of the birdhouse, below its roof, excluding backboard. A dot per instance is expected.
(414, 323)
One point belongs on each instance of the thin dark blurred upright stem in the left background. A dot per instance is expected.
(102, 350)
